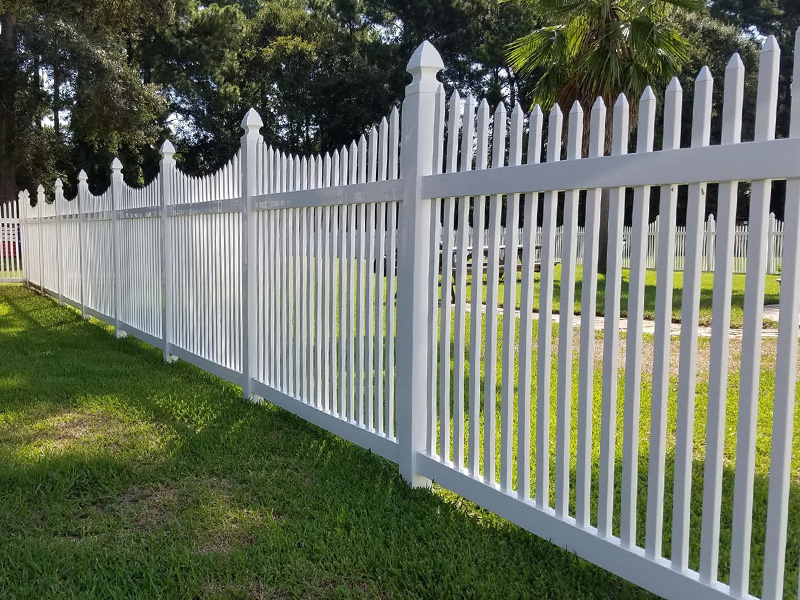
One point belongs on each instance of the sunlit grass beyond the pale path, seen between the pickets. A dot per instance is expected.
(771, 294)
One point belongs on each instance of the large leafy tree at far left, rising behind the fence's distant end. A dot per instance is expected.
(73, 60)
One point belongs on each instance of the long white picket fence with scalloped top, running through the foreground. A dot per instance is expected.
(312, 282)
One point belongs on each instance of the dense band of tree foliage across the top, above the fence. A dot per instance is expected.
(84, 80)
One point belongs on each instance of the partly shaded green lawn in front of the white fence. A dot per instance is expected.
(124, 477)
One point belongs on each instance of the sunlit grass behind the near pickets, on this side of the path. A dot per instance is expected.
(763, 443)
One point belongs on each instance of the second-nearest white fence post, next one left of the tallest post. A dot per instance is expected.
(250, 140)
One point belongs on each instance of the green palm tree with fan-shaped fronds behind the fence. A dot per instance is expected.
(584, 49)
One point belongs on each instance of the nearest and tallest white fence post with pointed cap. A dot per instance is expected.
(413, 259)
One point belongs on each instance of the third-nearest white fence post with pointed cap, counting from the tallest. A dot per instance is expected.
(166, 176)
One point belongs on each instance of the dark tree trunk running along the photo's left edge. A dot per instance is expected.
(8, 92)
